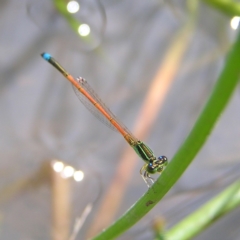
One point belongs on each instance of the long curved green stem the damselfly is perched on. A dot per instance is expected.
(218, 100)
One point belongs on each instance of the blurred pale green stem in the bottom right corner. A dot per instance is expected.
(206, 215)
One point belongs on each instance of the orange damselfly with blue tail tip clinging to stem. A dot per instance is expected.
(91, 100)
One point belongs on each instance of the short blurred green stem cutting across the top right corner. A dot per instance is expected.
(228, 7)
